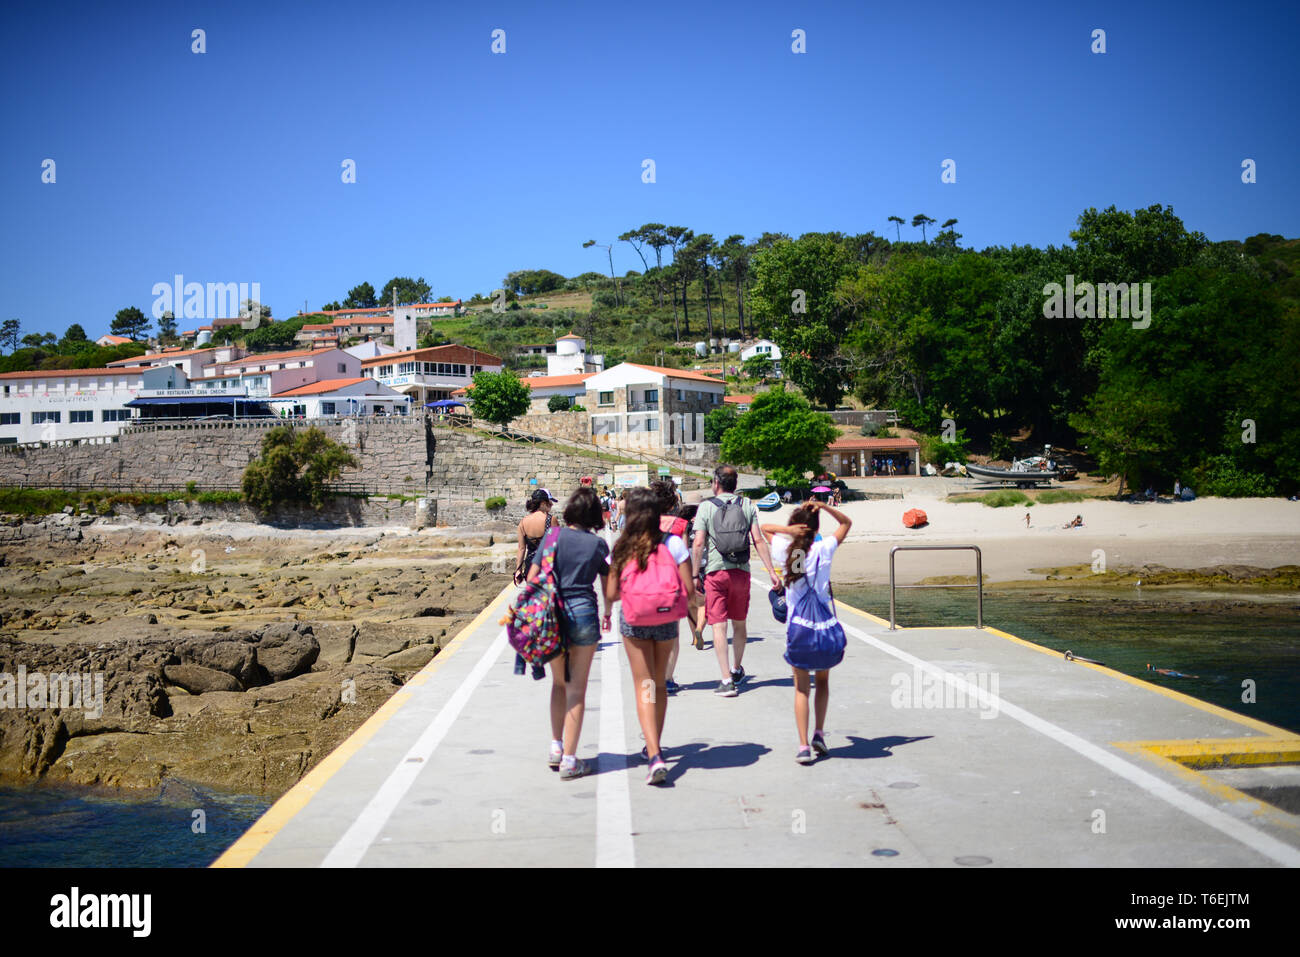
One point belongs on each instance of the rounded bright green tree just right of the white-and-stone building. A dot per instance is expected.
(779, 431)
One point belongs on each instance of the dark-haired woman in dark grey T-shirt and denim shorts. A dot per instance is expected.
(580, 557)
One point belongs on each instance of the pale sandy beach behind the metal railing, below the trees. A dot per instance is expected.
(1206, 534)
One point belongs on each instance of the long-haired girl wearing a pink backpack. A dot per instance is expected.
(643, 562)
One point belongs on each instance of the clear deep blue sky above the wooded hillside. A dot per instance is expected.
(227, 167)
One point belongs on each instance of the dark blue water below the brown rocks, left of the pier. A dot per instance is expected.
(57, 828)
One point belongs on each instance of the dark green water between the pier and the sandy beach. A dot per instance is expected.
(1259, 639)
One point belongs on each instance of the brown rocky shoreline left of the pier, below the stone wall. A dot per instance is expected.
(231, 657)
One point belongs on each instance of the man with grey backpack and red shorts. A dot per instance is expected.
(726, 527)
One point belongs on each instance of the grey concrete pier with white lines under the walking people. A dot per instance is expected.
(950, 747)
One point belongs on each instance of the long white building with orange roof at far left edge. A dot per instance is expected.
(76, 404)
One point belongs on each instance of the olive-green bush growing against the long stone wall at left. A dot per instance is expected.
(294, 469)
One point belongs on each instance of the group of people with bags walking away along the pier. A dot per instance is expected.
(674, 562)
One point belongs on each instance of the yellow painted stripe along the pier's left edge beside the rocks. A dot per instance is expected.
(257, 838)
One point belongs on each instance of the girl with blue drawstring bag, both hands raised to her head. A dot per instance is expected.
(808, 581)
